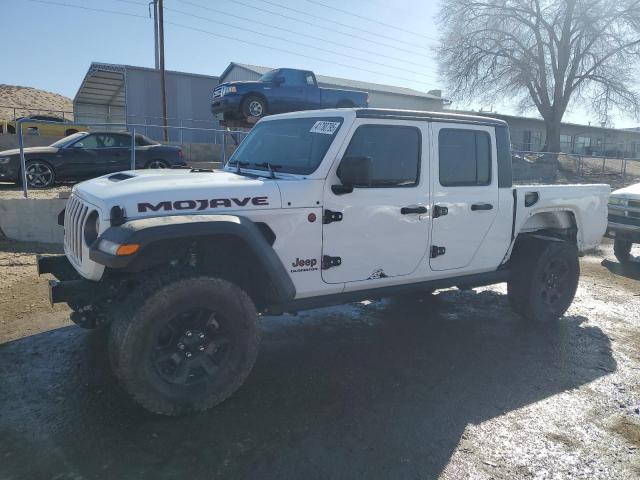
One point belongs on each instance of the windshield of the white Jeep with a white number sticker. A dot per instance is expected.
(295, 145)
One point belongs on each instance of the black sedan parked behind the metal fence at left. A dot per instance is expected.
(86, 155)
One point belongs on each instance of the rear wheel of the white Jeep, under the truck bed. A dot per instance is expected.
(544, 278)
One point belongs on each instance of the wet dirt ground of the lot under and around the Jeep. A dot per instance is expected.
(454, 386)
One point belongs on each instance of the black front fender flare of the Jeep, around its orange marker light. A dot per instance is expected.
(232, 247)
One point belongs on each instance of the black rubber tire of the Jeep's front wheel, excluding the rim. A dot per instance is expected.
(133, 338)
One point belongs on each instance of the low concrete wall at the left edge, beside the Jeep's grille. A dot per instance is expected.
(32, 219)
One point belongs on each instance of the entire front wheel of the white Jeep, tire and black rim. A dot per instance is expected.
(186, 347)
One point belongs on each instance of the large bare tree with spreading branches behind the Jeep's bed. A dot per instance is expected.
(547, 54)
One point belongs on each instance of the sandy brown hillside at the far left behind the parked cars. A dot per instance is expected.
(31, 99)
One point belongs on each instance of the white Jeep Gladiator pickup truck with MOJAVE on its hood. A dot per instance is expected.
(314, 208)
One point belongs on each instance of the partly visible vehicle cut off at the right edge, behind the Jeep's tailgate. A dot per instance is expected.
(624, 221)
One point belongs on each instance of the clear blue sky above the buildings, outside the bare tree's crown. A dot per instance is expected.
(49, 44)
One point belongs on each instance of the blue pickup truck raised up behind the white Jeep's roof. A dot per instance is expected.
(279, 91)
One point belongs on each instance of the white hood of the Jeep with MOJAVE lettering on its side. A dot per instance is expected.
(145, 193)
